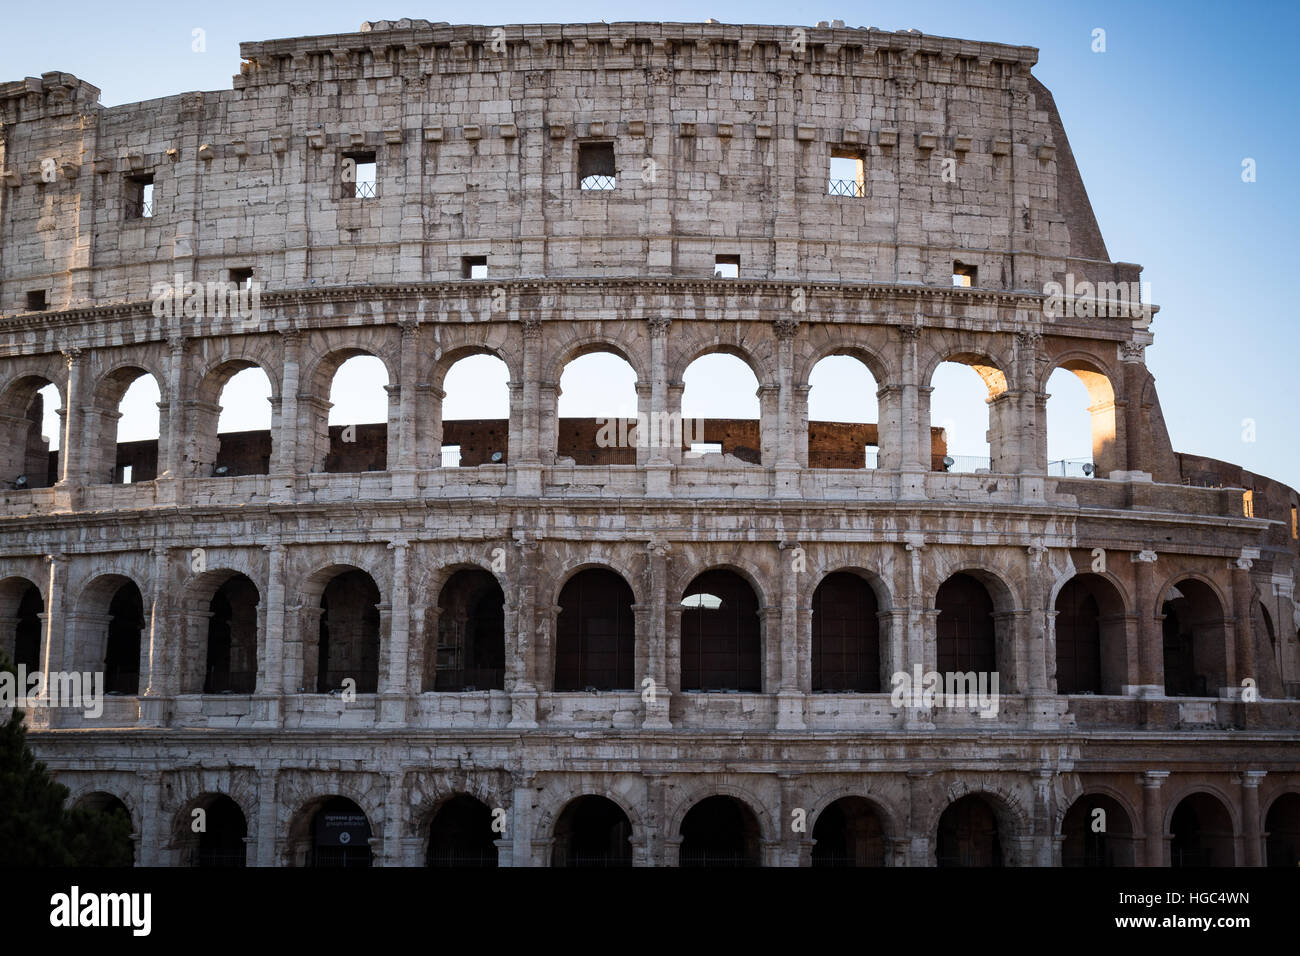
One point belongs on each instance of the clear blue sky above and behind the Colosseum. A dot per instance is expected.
(1160, 126)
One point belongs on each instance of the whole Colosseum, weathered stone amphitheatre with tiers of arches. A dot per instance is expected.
(532, 641)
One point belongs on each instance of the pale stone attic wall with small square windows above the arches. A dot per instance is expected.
(722, 137)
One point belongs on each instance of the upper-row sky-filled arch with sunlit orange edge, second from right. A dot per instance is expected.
(970, 406)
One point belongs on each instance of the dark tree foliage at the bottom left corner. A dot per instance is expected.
(36, 830)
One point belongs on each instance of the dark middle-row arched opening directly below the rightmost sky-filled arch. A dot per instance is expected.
(1090, 637)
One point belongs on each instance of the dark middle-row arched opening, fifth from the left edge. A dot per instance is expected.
(469, 652)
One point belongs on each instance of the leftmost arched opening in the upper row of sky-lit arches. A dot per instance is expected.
(32, 423)
